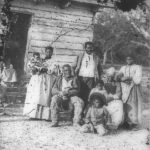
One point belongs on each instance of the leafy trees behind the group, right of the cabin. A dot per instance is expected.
(119, 34)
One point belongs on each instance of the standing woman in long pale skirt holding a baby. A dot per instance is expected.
(38, 97)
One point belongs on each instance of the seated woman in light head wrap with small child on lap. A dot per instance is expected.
(112, 93)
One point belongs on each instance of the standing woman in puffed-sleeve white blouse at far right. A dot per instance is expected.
(130, 76)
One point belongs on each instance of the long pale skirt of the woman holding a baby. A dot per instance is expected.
(38, 97)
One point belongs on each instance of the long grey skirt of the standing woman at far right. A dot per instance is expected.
(133, 106)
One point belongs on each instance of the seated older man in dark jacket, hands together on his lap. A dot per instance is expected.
(66, 90)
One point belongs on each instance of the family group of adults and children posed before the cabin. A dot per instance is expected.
(98, 100)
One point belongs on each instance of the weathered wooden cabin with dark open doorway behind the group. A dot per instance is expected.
(46, 23)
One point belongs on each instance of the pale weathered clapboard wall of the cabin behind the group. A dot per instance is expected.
(65, 29)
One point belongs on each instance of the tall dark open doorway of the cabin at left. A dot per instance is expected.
(16, 46)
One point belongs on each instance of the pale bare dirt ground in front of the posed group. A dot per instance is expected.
(19, 133)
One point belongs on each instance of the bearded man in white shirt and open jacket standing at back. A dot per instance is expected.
(89, 70)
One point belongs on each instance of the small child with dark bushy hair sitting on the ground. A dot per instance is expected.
(95, 117)
